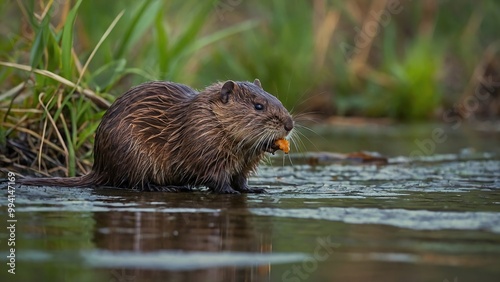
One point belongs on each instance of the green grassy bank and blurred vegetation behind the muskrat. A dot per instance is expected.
(63, 62)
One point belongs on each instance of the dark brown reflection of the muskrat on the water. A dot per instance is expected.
(213, 231)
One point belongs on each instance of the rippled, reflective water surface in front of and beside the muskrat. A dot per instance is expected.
(431, 218)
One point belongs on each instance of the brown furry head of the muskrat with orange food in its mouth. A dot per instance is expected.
(251, 117)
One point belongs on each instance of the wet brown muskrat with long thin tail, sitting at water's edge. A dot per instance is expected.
(164, 136)
